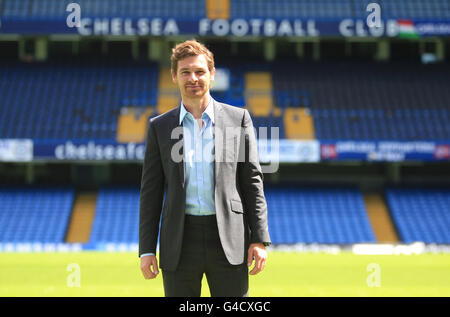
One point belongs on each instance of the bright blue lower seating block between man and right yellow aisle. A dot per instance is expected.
(317, 215)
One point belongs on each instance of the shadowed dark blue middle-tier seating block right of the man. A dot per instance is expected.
(362, 100)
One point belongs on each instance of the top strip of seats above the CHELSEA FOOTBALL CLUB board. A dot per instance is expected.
(195, 9)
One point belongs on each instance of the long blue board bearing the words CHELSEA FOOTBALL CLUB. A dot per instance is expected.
(78, 21)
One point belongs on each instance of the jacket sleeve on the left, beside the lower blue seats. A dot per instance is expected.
(151, 194)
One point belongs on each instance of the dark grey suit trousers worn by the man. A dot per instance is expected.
(202, 253)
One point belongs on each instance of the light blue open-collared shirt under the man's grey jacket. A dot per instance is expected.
(199, 162)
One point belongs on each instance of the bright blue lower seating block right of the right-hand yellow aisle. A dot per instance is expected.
(421, 214)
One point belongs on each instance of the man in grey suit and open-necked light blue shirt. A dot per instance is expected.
(202, 178)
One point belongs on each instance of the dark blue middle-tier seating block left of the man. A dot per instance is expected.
(79, 100)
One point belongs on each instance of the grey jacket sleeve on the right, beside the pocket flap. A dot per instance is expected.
(251, 185)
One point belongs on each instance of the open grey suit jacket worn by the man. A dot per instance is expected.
(241, 209)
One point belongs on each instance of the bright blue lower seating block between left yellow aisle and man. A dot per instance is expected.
(116, 216)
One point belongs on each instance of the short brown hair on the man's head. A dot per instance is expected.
(190, 48)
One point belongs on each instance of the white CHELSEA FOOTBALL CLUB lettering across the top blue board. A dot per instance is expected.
(237, 27)
